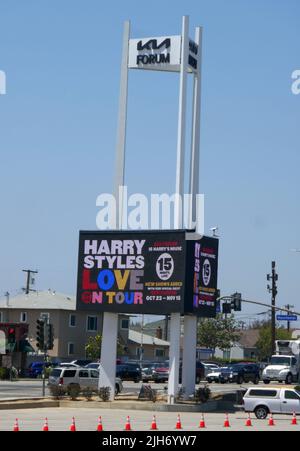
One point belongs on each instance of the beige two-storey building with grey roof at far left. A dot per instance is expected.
(71, 328)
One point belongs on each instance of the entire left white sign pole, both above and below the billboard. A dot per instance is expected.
(110, 320)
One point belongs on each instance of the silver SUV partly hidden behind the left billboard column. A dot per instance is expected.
(81, 377)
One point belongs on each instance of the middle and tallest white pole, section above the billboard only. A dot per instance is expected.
(179, 190)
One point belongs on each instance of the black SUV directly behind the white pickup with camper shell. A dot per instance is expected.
(240, 373)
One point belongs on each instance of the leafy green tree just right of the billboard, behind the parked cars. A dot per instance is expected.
(218, 332)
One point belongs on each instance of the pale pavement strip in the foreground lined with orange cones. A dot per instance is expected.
(86, 419)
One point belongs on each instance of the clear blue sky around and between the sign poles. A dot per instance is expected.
(58, 131)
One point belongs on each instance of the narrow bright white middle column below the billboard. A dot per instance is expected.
(174, 356)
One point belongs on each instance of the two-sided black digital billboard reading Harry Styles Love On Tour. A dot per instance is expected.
(147, 272)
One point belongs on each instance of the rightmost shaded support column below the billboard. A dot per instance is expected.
(189, 354)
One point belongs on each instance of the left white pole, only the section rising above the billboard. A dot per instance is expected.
(121, 133)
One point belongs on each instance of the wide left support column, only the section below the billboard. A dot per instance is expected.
(109, 352)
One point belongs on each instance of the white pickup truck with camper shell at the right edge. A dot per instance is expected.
(263, 401)
